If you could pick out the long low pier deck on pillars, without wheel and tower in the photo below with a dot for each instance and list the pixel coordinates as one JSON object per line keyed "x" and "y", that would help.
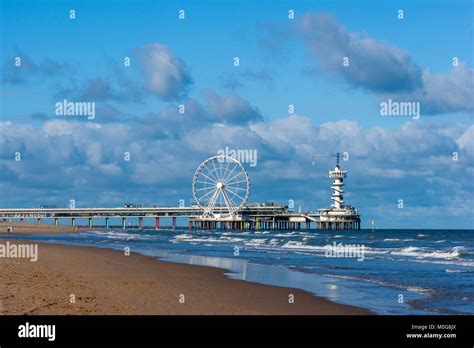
{"x": 256, "y": 217}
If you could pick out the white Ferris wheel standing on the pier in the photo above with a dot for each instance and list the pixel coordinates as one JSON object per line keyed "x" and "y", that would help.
{"x": 221, "y": 186}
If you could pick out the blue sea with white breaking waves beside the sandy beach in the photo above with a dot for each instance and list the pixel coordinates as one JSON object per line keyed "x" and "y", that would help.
{"x": 390, "y": 272}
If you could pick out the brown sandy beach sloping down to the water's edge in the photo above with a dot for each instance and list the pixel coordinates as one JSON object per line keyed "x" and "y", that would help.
{"x": 85, "y": 280}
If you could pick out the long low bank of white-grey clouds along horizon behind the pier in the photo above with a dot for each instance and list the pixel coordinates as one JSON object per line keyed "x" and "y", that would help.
{"x": 85, "y": 161}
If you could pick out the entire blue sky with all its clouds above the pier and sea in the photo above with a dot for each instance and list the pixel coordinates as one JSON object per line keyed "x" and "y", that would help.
{"x": 335, "y": 62}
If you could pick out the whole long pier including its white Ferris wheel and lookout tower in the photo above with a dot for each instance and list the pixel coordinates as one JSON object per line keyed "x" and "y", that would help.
{"x": 221, "y": 188}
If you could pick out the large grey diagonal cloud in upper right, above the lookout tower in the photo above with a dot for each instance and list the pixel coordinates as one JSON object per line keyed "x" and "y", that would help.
{"x": 384, "y": 69}
